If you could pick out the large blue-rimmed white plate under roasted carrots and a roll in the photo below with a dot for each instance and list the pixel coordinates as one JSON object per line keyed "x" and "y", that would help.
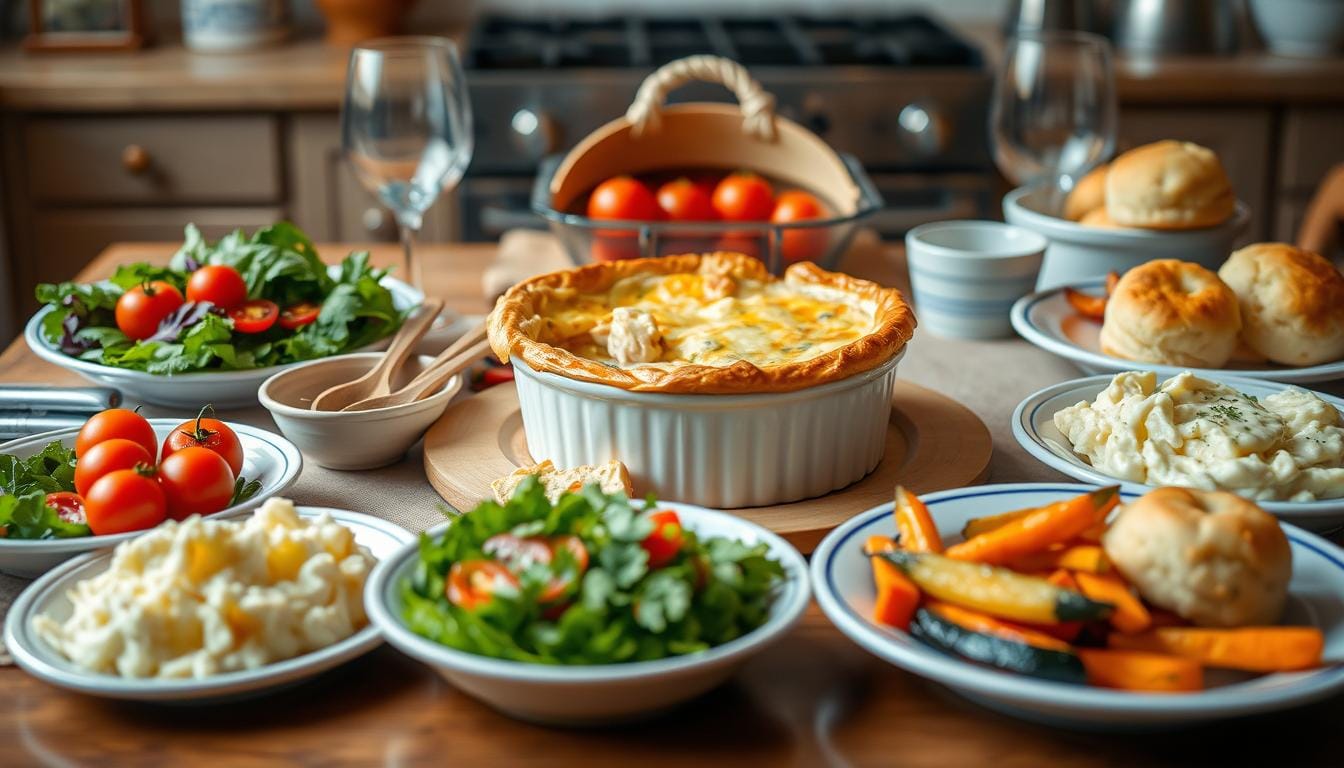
{"x": 842, "y": 580}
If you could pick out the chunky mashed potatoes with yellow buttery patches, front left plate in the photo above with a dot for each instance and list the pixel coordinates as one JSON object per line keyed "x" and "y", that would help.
{"x": 201, "y": 598}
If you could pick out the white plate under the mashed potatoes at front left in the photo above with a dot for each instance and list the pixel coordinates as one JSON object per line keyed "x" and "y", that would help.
{"x": 48, "y": 595}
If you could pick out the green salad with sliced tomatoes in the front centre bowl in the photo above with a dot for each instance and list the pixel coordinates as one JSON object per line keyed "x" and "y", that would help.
{"x": 589, "y": 580}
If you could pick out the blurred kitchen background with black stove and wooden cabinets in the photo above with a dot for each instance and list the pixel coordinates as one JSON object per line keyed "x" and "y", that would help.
{"x": 114, "y": 127}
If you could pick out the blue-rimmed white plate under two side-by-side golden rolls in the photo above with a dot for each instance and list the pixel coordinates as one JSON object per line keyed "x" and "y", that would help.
{"x": 1049, "y": 322}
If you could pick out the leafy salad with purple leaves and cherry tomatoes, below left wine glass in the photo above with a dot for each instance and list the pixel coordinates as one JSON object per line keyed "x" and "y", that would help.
{"x": 236, "y": 305}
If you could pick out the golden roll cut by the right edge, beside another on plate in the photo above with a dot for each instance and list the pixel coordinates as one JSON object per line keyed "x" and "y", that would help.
{"x": 1292, "y": 303}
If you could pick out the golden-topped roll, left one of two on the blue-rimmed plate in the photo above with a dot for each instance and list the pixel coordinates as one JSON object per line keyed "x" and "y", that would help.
{"x": 1171, "y": 313}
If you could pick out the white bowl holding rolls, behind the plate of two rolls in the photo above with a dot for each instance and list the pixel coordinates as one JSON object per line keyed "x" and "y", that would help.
{"x": 1079, "y": 252}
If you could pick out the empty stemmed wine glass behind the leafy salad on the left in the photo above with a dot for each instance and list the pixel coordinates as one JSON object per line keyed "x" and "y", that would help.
{"x": 407, "y": 128}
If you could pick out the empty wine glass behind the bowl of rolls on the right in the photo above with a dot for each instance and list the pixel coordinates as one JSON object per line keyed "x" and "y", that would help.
{"x": 1054, "y": 110}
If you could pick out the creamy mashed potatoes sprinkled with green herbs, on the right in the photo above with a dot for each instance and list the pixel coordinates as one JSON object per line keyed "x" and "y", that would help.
{"x": 1205, "y": 435}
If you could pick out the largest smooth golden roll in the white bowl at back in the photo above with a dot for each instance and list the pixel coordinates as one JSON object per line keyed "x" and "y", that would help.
{"x": 1170, "y": 186}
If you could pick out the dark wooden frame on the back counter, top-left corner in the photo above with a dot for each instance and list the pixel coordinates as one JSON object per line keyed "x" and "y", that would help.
{"x": 65, "y": 26}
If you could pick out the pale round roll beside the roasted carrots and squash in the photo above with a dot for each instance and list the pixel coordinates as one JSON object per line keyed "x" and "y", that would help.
{"x": 1213, "y": 558}
